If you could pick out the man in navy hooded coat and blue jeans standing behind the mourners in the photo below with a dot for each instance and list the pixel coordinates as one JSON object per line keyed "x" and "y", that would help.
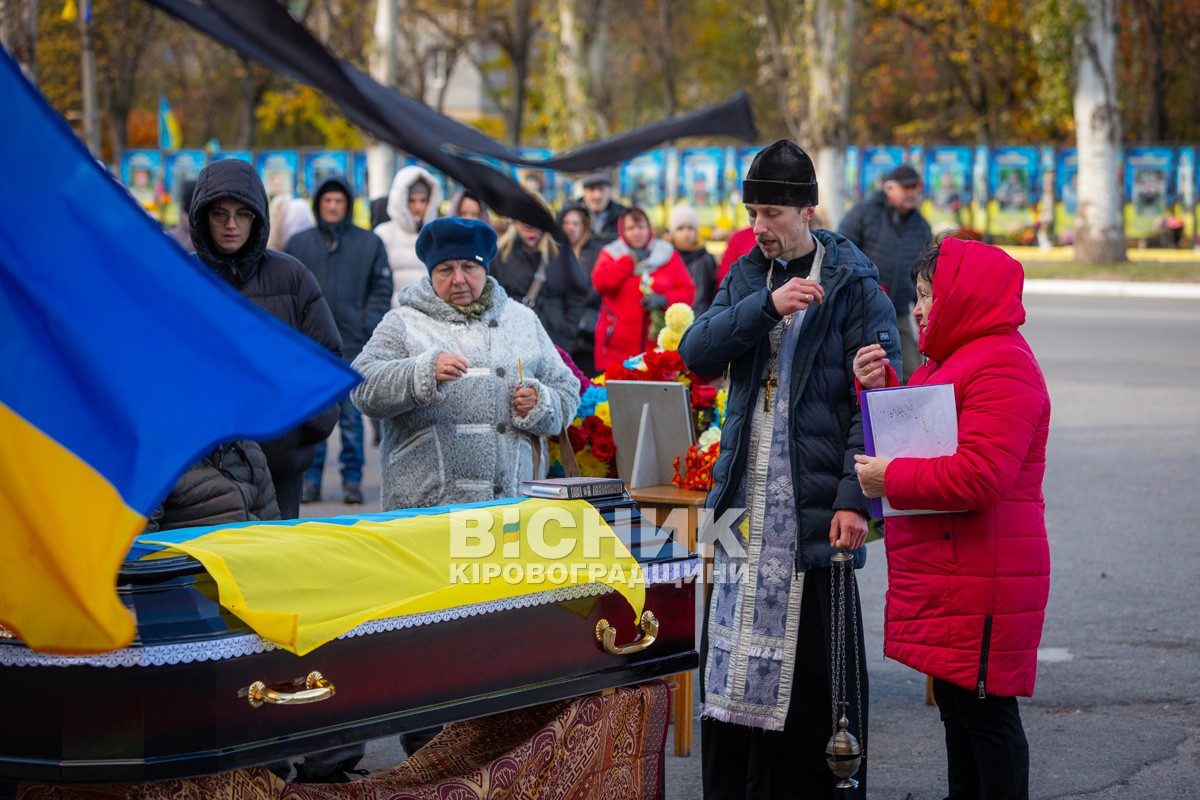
{"x": 351, "y": 266}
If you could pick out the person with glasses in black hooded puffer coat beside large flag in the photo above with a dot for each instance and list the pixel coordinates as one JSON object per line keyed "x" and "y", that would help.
{"x": 230, "y": 230}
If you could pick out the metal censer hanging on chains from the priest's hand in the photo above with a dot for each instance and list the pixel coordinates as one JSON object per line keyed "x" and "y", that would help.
{"x": 844, "y": 753}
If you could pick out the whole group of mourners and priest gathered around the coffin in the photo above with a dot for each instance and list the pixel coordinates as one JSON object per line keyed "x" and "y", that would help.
{"x": 467, "y": 340}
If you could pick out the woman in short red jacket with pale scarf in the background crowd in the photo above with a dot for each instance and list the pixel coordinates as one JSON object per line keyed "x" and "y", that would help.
{"x": 635, "y": 276}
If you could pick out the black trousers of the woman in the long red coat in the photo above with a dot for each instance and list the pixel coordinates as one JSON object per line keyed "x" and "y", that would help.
{"x": 987, "y": 754}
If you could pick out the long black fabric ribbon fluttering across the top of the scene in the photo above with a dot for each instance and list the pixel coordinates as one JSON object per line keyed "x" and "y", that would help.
{"x": 263, "y": 31}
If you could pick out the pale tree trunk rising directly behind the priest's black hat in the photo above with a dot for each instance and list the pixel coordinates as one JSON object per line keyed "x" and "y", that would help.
{"x": 829, "y": 109}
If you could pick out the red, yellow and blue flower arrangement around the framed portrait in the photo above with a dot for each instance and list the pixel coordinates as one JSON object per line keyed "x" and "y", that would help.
{"x": 591, "y": 431}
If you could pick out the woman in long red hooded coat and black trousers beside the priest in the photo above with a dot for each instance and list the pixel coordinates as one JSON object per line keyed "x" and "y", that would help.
{"x": 968, "y": 591}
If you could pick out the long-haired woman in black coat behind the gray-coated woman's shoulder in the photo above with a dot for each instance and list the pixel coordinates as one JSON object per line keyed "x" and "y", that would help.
{"x": 541, "y": 275}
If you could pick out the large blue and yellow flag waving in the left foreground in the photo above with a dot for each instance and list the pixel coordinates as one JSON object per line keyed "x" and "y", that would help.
{"x": 123, "y": 360}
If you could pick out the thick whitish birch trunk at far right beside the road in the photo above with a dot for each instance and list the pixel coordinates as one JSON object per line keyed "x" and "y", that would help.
{"x": 1100, "y": 224}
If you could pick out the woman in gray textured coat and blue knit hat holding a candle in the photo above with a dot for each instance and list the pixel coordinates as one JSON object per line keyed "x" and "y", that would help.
{"x": 464, "y": 378}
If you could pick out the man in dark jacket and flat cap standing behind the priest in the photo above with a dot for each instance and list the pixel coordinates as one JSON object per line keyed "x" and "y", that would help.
{"x": 891, "y": 231}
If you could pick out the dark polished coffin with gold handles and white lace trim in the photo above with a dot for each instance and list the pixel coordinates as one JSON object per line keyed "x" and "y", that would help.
{"x": 194, "y": 694}
